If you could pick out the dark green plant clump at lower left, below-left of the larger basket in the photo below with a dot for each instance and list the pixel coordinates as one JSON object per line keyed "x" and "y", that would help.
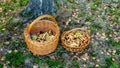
{"x": 15, "y": 58}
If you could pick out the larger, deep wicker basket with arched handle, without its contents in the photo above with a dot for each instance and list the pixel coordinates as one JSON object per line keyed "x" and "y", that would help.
{"x": 38, "y": 48}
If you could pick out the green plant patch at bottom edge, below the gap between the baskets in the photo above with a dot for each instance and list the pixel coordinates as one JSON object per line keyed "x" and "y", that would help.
{"x": 55, "y": 63}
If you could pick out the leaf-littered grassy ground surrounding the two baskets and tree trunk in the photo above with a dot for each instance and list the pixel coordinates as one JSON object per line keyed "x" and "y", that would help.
{"x": 102, "y": 17}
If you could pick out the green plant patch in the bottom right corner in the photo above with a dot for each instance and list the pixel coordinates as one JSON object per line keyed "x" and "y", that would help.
{"x": 110, "y": 63}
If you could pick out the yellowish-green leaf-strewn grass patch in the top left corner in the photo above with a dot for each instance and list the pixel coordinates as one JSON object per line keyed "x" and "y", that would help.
{"x": 9, "y": 9}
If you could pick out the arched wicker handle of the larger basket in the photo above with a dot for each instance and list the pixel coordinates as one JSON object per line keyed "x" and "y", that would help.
{"x": 41, "y": 17}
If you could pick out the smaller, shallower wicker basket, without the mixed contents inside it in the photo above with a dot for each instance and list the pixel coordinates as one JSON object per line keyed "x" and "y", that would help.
{"x": 75, "y": 49}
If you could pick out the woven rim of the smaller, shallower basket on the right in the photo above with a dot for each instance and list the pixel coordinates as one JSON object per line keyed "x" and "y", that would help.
{"x": 73, "y": 30}
